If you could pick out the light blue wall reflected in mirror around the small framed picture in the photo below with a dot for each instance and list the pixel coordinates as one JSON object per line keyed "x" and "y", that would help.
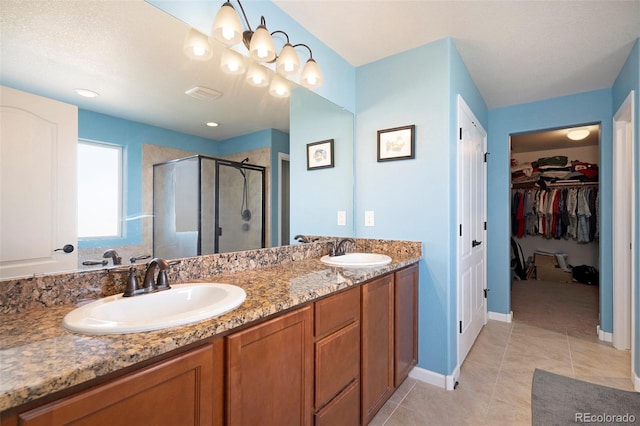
{"x": 317, "y": 195}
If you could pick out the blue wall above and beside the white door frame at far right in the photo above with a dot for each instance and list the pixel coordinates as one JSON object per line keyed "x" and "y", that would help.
{"x": 628, "y": 80}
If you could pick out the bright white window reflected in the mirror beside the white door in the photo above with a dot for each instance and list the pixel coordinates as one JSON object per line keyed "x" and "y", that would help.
{"x": 100, "y": 190}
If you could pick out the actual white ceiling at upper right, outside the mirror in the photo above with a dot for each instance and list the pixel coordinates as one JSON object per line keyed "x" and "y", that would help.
{"x": 517, "y": 51}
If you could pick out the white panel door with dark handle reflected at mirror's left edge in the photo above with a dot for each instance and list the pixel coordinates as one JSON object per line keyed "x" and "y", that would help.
{"x": 38, "y": 148}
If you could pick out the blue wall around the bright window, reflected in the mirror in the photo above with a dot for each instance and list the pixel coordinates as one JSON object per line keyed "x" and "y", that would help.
{"x": 132, "y": 135}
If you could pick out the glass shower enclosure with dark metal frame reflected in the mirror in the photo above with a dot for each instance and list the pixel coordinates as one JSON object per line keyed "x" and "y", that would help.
{"x": 206, "y": 205}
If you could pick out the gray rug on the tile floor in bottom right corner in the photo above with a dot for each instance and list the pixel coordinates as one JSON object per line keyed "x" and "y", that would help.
{"x": 560, "y": 400}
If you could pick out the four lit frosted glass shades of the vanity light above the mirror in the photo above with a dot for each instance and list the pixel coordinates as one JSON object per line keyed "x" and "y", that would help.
{"x": 227, "y": 29}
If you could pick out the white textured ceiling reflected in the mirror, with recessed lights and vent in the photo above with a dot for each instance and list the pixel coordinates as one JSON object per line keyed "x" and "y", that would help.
{"x": 129, "y": 52}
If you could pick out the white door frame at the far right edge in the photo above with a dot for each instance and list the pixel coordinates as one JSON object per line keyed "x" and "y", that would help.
{"x": 624, "y": 175}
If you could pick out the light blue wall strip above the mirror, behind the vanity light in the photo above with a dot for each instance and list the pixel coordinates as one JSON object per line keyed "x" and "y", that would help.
{"x": 339, "y": 75}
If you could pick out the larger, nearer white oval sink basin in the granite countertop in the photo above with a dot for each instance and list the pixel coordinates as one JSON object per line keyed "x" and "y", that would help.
{"x": 182, "y": 304}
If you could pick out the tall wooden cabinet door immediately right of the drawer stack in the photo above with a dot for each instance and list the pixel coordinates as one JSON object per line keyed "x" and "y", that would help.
{"x": 377, "y": 345}
